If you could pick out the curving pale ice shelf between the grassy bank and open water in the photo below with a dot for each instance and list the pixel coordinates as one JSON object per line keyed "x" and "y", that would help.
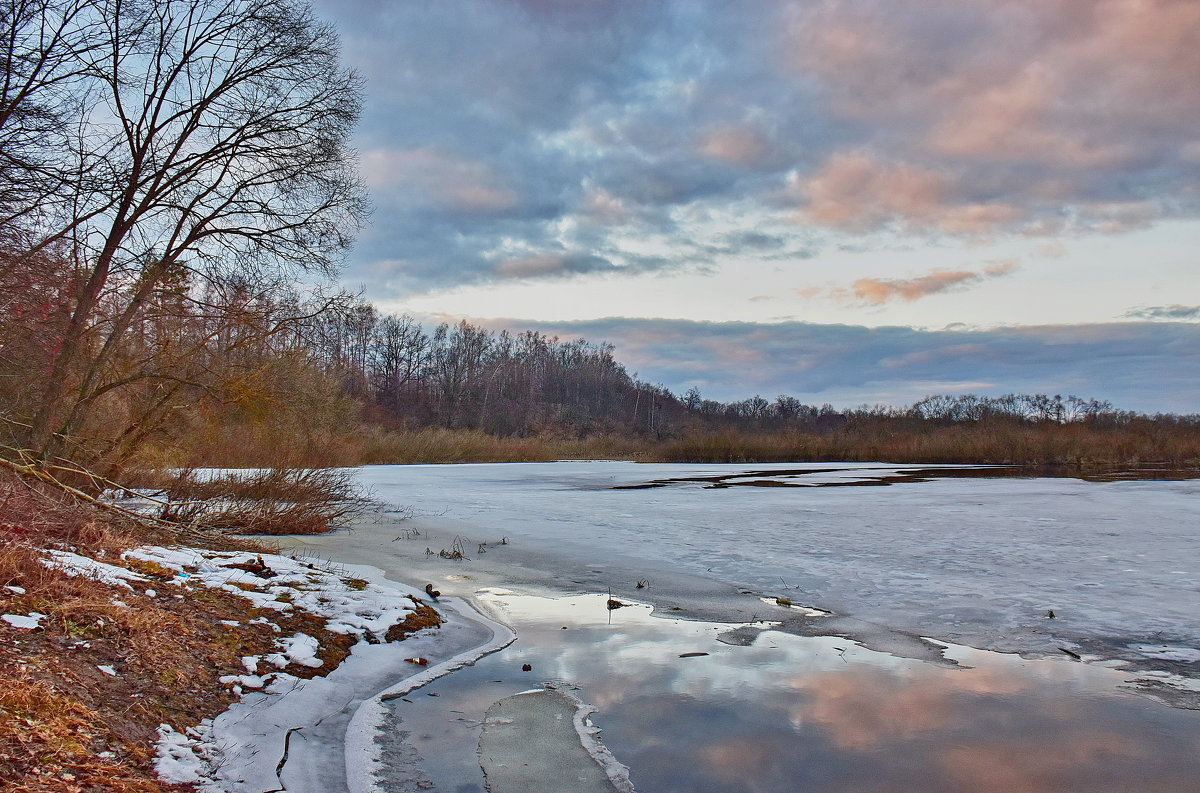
{"x": 314, "y": 736}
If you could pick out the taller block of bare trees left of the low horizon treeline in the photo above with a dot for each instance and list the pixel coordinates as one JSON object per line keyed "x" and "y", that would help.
{"x": 465, "y": 377}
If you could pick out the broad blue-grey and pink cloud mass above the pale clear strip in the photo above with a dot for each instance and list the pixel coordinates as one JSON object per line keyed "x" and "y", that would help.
{"x": 541, "y": 140}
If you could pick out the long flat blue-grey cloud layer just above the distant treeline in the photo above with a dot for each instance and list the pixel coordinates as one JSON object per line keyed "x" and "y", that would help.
{"x": 1141, "y": 367}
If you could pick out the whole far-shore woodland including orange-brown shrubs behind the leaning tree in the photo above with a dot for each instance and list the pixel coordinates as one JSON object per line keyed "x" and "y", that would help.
{"x": 235, "y": 375}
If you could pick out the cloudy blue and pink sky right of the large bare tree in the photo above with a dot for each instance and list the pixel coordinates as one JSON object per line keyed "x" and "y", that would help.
{"x": 850, "y": 202}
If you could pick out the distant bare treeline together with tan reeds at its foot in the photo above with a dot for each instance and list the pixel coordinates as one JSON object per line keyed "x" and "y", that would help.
{"x": 460, "y": 392}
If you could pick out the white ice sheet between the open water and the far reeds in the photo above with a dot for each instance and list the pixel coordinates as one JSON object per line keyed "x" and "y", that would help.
{"x": 979, "y": 562}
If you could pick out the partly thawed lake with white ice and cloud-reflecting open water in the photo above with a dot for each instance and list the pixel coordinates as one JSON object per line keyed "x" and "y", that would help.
{"x": 895, "y": 666}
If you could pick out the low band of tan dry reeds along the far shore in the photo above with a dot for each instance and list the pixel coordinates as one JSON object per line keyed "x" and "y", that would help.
{"x": 899, "y": 440}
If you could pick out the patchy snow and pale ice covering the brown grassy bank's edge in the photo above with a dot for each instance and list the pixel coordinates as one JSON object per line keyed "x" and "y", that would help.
{"x": 296, "y": 734}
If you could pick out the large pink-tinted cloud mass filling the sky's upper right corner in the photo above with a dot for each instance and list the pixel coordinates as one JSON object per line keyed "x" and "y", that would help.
{"x": 1031, "y": 113}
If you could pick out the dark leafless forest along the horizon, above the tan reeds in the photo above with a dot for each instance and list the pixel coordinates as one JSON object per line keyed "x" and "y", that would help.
{"x": 463, "y": 376}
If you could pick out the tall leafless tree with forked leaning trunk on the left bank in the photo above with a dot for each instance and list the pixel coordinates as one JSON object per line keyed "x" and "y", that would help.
{"x": 225, "y": 125}
